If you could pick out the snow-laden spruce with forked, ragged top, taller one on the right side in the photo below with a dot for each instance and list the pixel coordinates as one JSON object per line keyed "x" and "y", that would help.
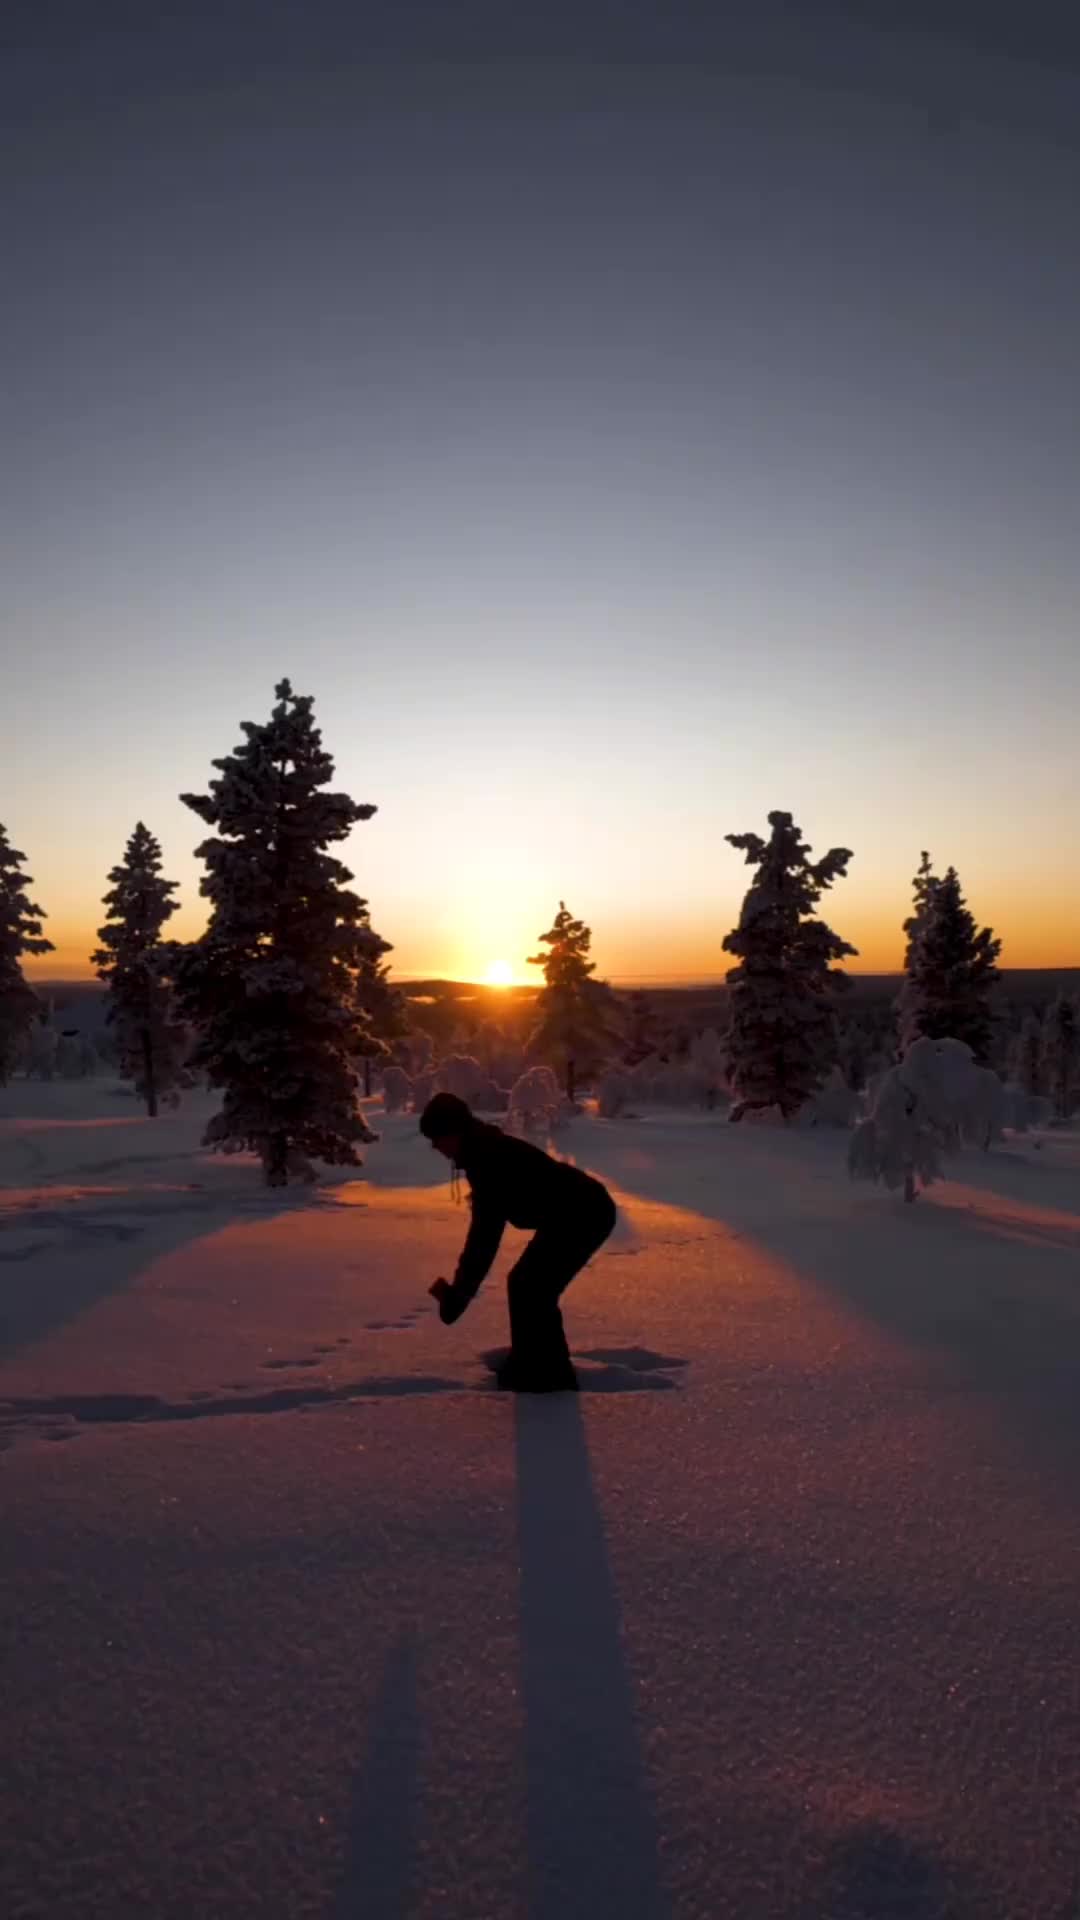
{"x": 783, "y": 1036}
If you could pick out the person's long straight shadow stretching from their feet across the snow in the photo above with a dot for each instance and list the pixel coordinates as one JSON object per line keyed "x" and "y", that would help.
{"x": 593, "y": 1844}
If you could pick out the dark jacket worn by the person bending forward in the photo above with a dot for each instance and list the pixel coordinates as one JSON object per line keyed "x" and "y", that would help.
{"x": 514, "y": 1184}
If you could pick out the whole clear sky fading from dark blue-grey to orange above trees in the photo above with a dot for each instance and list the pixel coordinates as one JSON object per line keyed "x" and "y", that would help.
{"x": 624, "y": 421}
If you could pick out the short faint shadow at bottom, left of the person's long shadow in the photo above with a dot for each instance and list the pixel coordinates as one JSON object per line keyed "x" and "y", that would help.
{"x": 383, "y": 1821}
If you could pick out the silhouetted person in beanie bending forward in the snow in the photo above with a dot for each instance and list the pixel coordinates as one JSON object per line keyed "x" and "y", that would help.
{"x": 514, "y": 1184}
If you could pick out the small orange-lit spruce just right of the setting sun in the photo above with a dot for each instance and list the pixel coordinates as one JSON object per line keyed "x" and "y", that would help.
{"x": 579, "y": 1017}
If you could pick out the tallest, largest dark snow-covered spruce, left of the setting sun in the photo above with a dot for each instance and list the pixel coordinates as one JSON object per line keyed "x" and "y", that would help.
{"x": 272, "y": 982}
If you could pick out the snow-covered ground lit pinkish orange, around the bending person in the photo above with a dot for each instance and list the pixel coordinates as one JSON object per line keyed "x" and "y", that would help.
{"x": 303, "y": 1620}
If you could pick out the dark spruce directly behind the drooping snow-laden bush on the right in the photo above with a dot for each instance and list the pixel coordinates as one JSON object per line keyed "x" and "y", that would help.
{"x": 950, "y": 969}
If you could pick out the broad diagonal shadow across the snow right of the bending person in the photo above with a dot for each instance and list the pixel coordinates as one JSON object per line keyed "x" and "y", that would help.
{"x": 985, "y": 1291}
